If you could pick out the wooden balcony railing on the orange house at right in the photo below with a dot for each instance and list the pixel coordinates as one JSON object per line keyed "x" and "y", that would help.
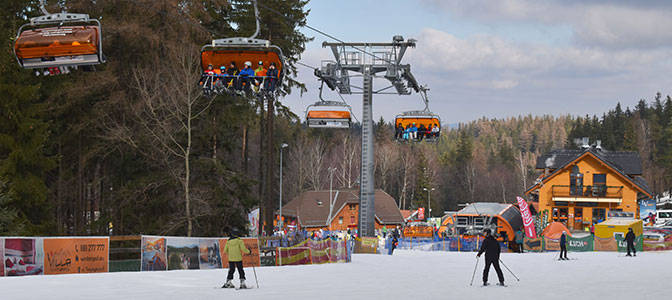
{"x": 594, "y": 193}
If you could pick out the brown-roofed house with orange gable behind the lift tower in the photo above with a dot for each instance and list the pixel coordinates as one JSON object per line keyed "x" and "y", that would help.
{"x": 311, "y": 210}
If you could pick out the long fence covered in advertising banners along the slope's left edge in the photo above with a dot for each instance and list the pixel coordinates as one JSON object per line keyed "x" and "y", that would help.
{"x": 21, "y": 256}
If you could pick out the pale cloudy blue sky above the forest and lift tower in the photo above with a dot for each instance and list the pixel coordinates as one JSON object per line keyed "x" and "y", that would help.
{"x": 498, "y": 59}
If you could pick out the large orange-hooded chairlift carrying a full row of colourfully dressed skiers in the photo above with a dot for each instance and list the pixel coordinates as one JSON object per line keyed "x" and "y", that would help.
{"x": 222, "y": 52}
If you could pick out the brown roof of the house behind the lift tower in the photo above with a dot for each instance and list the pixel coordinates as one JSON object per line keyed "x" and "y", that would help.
{"x": 311, "y": 208}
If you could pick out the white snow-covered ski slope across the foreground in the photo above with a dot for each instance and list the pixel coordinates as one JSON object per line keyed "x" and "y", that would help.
{"x": 406, "y": 275}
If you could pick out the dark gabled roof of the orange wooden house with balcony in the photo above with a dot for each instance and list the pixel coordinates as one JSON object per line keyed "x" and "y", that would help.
{"x": 628, "y": 164}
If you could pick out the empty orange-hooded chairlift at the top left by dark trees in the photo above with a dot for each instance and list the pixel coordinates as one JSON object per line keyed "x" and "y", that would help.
{"x": 39, "y": 45}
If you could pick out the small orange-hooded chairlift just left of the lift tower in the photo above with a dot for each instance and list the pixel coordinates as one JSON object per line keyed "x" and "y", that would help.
{"x": 328, "y": 114}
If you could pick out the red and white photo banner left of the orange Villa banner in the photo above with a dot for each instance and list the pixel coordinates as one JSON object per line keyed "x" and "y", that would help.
{"x": 23, "y": 256}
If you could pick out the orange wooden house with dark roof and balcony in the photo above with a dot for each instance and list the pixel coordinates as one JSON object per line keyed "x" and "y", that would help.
{"x": 577, "y": 187}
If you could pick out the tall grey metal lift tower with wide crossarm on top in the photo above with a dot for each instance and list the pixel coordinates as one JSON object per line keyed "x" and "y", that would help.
{"x": 367, "y": 60}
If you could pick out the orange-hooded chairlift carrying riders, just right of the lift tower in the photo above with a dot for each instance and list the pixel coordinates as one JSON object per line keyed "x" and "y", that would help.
{"x": 417, "y": 118}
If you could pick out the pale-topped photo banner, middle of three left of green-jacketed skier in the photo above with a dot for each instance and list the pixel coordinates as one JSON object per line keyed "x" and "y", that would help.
{"x": 182, "y": 253}
